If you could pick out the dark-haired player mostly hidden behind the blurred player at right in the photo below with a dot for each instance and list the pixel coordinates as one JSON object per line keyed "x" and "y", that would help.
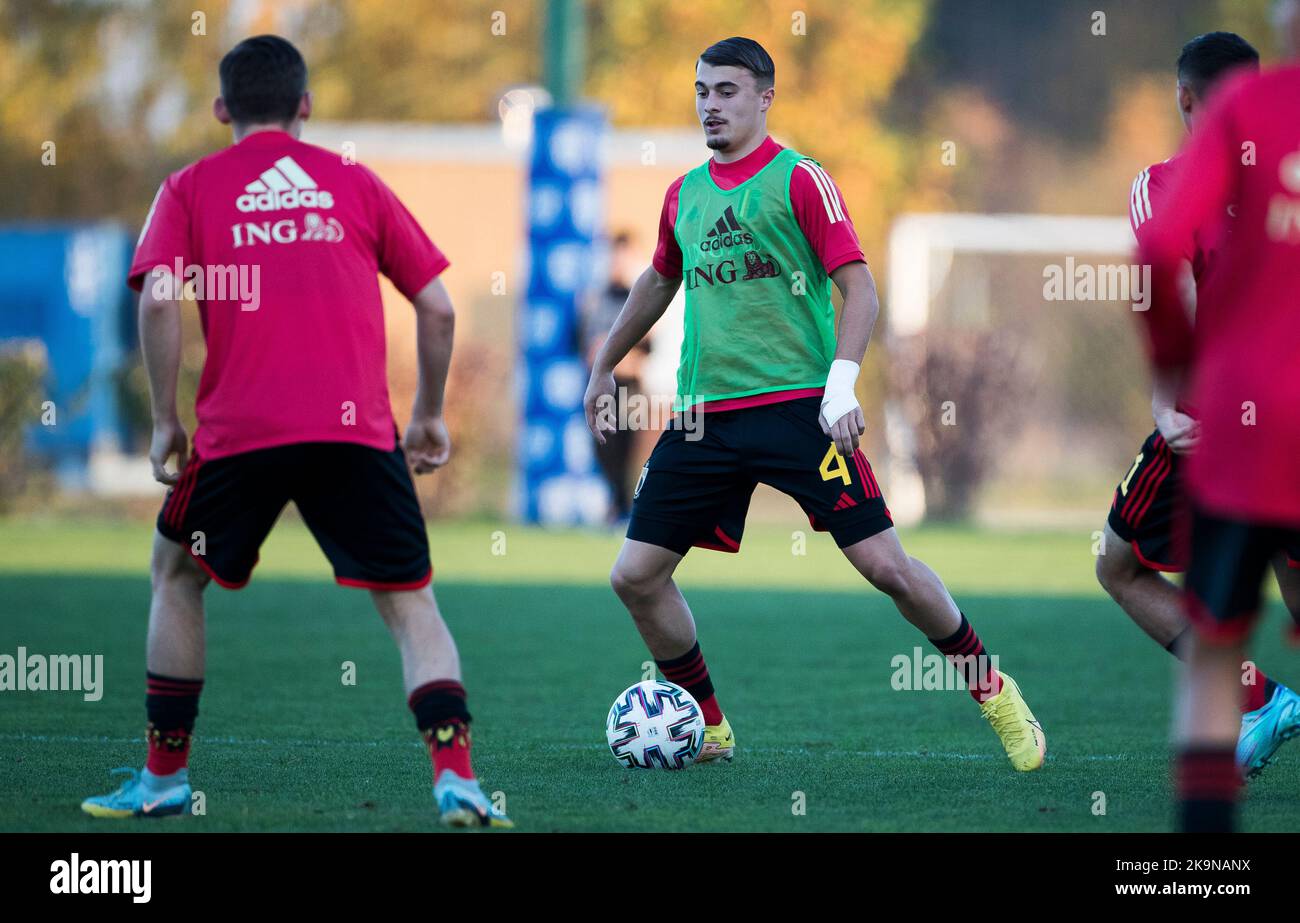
{"x": 1139, "y": 534}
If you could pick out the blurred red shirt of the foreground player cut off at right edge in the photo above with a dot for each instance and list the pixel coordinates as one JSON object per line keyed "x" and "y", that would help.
{"x": 1245, "y": 356}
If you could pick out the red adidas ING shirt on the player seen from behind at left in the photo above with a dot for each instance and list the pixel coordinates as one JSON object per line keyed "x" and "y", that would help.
{"x": 307, "y": 365}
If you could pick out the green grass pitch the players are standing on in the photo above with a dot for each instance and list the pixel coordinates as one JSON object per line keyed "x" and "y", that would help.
{"x": 799, "y": 647}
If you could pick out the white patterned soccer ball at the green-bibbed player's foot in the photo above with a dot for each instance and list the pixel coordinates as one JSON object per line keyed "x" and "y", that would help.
{"x": 656, "y": 725}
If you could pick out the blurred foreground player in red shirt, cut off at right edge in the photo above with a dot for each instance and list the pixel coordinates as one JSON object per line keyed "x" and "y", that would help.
{"x": 1241, "y": 370}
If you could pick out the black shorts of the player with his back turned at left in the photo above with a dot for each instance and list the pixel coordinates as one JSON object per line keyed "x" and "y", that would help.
{"x": 359, "y": 504}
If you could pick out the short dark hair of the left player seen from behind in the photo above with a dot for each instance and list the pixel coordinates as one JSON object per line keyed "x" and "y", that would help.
{"x": 263, "y": 80}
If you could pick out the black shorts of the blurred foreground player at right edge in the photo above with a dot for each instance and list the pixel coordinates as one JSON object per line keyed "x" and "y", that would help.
{"x": 1229, "y": 560}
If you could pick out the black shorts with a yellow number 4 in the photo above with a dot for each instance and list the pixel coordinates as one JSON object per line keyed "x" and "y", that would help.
{"x": 695, "y": 492}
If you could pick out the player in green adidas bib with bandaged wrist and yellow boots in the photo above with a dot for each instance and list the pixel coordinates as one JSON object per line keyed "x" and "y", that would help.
{"x": 766, "y": 395}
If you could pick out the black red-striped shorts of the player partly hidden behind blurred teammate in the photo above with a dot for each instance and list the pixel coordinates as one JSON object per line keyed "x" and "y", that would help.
{"x": 1147, "y": 508}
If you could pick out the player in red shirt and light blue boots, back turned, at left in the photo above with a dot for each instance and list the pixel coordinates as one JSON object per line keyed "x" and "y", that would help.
{"x": 284, "y": 244}
